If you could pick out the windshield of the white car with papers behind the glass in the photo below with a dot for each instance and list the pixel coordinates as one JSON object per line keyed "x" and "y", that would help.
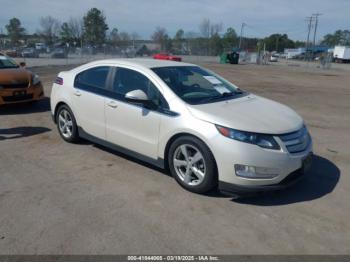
{"x": 195, "y": 85}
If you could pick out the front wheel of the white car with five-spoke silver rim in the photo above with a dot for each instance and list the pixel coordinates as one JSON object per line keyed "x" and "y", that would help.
{"x": 196, "y": 172}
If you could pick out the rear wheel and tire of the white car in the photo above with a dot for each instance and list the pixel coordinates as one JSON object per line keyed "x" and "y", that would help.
{"x": 68, "y": 130}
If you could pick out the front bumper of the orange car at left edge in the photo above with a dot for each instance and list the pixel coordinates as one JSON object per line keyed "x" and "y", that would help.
{"x": 21, "y": 95}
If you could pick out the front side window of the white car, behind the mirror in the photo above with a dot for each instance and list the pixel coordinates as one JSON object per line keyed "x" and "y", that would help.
{"x": 127, "y": 80}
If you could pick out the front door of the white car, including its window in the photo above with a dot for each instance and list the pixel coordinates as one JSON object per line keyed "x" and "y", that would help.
{"x": 130, "y": 125}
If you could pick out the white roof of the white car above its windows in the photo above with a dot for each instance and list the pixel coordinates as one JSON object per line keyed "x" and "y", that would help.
{"x": 145, "y": 62}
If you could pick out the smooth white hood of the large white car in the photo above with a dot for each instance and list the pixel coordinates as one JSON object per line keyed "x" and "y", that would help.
{"x": 250, "y": 113}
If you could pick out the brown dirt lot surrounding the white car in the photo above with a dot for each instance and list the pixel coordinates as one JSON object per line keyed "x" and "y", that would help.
{"x": 58, "y": 198}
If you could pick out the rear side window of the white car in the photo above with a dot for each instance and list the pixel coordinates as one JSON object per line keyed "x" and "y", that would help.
{"x": 92, "y": 79}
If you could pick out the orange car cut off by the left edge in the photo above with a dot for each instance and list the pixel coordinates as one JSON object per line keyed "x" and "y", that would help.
{"x": 18, "y": 84}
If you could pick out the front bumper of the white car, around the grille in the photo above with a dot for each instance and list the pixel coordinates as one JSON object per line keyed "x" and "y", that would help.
{"x": 287, "y": 166}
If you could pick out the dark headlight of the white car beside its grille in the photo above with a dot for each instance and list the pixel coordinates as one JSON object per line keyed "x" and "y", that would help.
{"x": 265, "y": 141}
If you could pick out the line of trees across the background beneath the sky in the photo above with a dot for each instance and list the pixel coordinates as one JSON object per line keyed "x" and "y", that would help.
{"x": 93, "y": 30}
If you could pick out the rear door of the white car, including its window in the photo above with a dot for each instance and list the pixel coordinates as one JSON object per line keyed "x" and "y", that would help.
{"x": 90, "y": 88}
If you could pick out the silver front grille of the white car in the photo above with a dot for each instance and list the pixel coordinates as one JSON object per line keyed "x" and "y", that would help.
{"x": 296, "y": 142}
